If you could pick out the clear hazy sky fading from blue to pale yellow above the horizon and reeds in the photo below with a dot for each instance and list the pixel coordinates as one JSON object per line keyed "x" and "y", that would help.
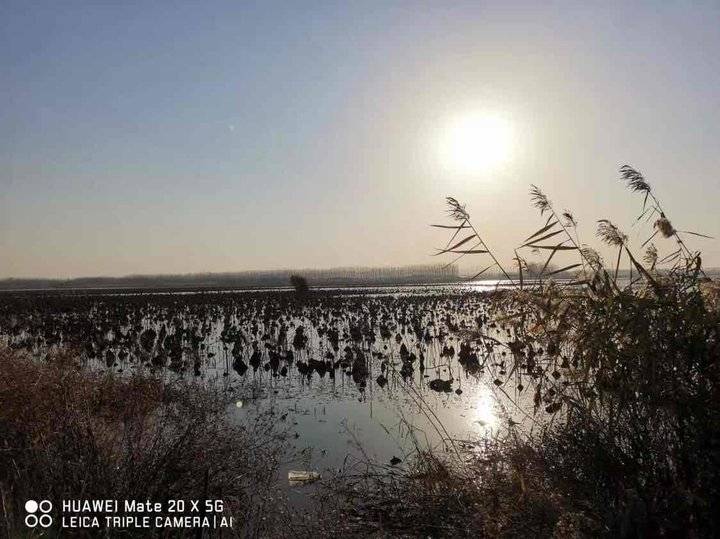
{"x": 180, "y": 137}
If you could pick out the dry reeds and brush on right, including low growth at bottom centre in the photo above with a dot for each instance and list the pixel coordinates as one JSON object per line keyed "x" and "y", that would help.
{"x": 625, "y": 386}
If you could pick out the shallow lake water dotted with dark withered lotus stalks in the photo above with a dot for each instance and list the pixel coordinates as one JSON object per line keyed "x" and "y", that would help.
{"x": 349, "y": 373}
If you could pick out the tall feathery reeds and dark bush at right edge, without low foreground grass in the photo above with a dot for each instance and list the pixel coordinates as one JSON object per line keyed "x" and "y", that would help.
{"x": 631, "y": 369}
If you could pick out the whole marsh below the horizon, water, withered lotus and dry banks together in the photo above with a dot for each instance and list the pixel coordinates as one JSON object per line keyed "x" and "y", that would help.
{"x": 478, "y": 409}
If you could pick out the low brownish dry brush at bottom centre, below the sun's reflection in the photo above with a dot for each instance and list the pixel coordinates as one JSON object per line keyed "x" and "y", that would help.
{"x": 501, "y": 491}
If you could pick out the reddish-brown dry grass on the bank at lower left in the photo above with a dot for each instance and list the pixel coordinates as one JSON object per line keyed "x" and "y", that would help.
{"x": 70, "y": 433}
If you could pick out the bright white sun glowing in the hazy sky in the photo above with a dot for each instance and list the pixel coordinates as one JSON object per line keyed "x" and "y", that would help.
{"x": 475, "y": 143}
